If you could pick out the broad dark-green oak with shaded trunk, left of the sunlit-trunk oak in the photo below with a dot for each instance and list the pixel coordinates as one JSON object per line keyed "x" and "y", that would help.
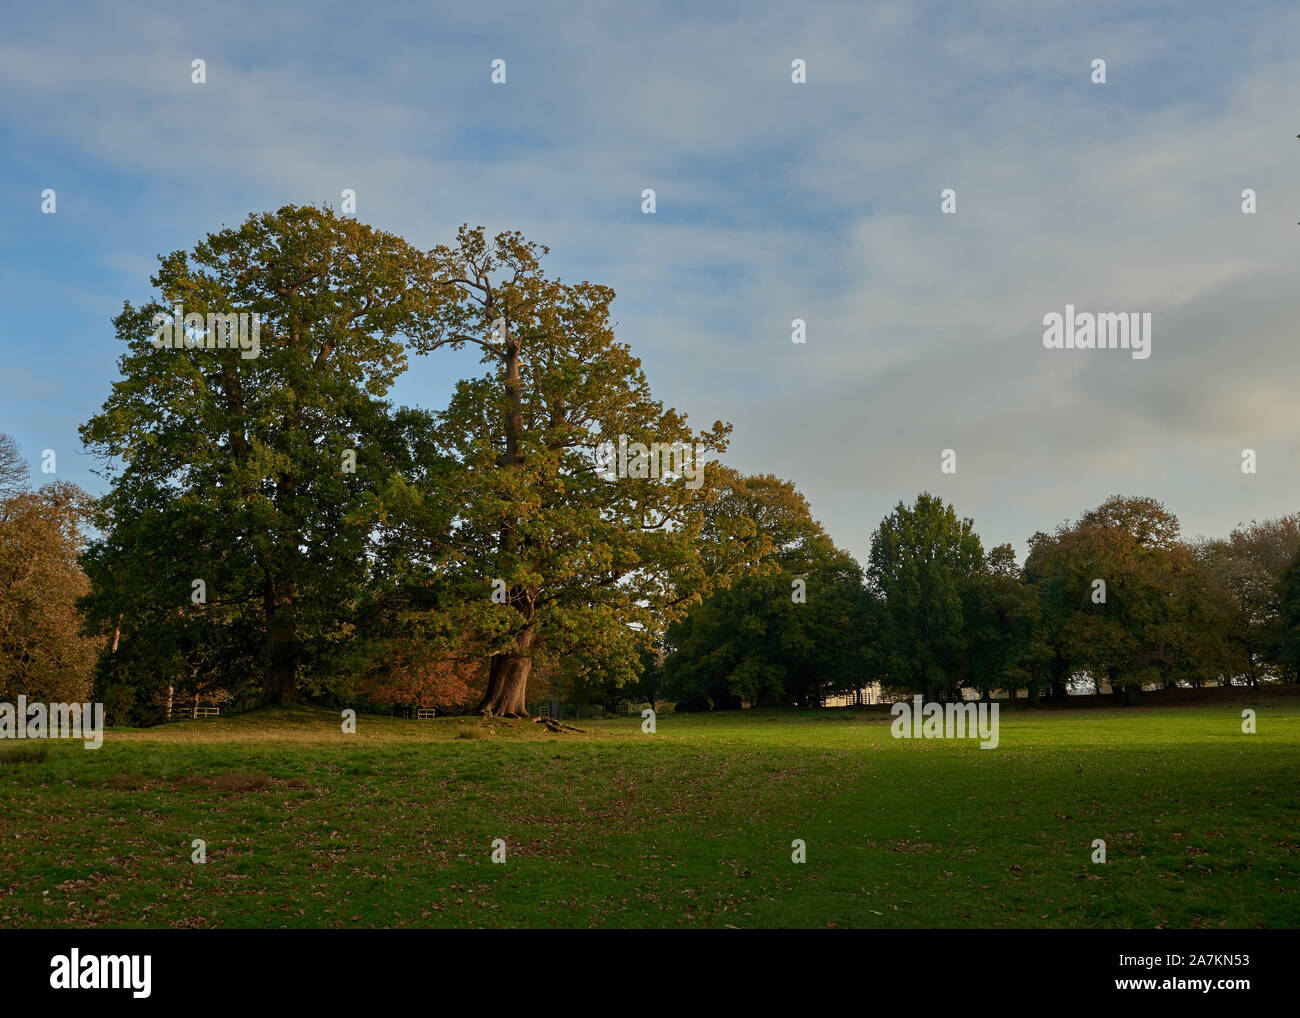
{"x": 239, "y": 471}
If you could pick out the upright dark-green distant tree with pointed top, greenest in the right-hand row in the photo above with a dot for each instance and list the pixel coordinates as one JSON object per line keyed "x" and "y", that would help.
{"x": 924, "y": 558}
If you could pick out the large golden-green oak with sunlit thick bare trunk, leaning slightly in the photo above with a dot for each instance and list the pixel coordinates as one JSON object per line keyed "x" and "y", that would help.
{"x": 588, "y": 566}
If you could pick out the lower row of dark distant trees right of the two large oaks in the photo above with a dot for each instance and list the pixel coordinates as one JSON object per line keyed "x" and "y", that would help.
{"x": 1115, "y": 601}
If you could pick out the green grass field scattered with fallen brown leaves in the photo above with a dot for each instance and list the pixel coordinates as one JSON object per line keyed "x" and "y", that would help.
{"x": 690, "y": 828}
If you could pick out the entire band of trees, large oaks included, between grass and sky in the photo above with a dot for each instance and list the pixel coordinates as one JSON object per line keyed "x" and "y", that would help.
{"x": 276, "y": 530}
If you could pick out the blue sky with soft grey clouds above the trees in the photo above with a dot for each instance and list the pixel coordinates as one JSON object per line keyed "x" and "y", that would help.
{"x": 775, "y": 202}
